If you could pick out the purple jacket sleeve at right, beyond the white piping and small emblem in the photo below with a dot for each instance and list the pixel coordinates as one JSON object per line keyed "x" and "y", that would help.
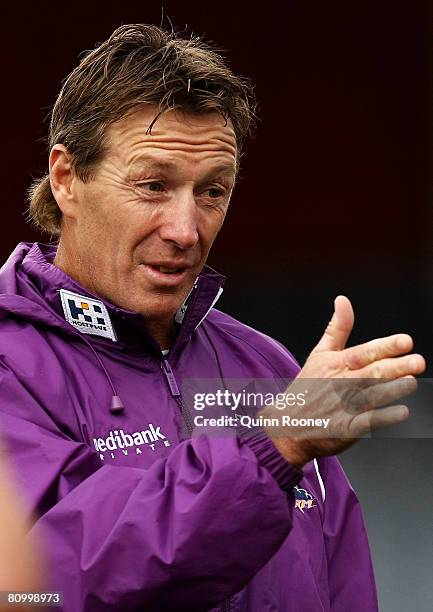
{"x": 350, "y": 569}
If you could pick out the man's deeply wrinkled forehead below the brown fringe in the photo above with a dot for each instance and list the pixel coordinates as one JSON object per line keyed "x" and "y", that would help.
{"x": 175, "y": 136}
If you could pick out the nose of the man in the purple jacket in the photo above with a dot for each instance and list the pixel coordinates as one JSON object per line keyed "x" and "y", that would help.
{"x": 179, "y": 224}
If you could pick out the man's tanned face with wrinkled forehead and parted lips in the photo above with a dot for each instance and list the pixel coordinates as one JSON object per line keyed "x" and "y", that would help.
{"x": 145, "y": 223}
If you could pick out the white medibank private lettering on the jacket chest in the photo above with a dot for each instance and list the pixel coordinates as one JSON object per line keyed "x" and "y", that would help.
{"x": 118, "y": 442}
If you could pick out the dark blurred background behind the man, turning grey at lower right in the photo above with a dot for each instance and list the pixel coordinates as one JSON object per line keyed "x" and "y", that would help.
{"x": 335, "y": 196}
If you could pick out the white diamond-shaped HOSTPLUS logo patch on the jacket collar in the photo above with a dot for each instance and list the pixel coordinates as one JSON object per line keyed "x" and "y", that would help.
{"x": 87, "y": 315}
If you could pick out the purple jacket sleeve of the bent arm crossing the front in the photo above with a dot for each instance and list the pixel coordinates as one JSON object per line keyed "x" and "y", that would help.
{"x": 184, "y": 534}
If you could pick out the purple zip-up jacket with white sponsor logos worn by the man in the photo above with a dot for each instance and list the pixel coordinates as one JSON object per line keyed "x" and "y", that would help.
{"x": 133, "y": 516}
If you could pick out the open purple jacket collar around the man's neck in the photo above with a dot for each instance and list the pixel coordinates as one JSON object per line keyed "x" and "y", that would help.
{"x": 37, "y": 268}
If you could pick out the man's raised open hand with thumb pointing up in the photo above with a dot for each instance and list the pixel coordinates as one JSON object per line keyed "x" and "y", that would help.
{"x": 368, "y": 376}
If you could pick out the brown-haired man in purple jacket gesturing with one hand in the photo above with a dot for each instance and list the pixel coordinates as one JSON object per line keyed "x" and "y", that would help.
{"x": 100, "y": 330}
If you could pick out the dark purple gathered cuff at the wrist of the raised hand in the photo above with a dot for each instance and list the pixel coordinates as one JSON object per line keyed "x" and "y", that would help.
{"x": 268, "y": 456}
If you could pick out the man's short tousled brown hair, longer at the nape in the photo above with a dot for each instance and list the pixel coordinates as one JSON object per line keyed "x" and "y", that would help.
{"x": 137, "y": 64}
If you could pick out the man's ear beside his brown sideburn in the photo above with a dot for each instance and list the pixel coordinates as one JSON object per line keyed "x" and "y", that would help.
{"x": 62, "y": 179}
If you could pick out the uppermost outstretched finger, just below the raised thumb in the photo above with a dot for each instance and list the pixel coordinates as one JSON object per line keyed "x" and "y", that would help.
{"x": 357, "y": 357}
